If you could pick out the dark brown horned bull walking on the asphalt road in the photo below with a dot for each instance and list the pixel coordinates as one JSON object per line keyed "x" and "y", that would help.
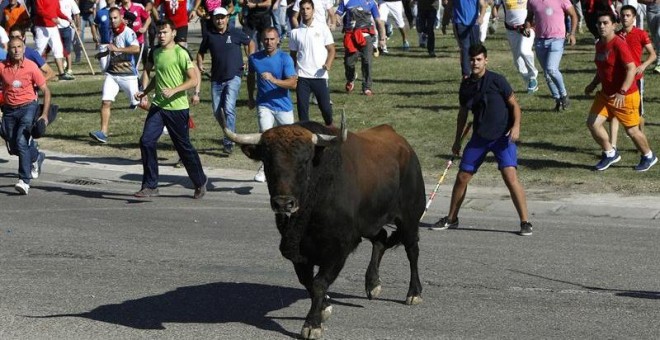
{"x": 329, "y": 188}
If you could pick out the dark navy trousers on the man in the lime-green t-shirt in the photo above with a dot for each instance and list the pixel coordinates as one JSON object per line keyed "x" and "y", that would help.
{"x": 176, "y": 122}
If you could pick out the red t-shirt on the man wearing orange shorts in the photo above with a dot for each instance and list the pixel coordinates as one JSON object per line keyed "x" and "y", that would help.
{"x": 611, "y": 60}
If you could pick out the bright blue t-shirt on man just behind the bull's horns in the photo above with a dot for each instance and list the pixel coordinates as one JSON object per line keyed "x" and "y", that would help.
{"x": 280, "y": 65}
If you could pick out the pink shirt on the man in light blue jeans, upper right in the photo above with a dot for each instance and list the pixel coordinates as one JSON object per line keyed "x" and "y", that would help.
{"x": 549, "y": 17}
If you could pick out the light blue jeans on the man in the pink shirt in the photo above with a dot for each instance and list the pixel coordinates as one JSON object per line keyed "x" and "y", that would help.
{"x": 549, "y": 53}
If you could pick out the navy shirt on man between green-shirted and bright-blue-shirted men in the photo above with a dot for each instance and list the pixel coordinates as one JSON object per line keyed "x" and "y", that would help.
{"x": 226, "y": 53}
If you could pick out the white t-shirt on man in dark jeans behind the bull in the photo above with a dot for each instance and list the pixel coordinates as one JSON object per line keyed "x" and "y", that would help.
{"x": 310, "y": 43}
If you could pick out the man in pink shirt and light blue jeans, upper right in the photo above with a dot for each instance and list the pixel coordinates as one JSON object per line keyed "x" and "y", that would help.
{"x": 548, "y": 21}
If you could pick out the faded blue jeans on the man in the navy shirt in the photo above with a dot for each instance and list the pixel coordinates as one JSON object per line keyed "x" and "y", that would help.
{"x": 224, "y": 95}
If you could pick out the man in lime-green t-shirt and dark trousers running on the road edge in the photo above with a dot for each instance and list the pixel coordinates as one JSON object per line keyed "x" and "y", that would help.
{"x": 175, "y": 74}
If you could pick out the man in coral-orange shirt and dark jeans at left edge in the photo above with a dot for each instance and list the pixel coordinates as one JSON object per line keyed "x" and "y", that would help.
{"x": 19, "y": 77}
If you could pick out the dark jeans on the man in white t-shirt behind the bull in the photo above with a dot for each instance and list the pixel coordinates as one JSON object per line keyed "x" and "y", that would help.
{"x": 318, "y": 86}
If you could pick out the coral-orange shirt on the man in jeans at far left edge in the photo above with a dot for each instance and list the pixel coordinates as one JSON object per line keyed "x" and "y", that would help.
{"x": 18, "y": 83}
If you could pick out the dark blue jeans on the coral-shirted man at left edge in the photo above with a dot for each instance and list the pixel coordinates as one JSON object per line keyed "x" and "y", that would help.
{"x": 17, "y": 123}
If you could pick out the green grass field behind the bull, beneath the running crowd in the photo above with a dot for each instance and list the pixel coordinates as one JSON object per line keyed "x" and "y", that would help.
{"x": 415, "y": 94}
